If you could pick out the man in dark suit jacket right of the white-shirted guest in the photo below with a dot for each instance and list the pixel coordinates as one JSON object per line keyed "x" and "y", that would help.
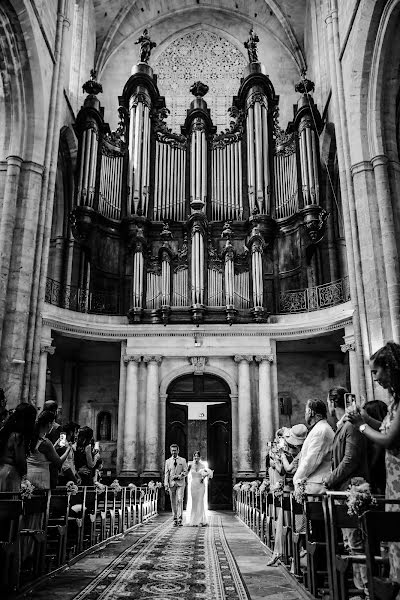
{"x": 349, "y": 459}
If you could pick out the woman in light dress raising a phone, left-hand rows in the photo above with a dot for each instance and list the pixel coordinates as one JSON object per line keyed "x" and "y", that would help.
{"x": 43, "y": 453}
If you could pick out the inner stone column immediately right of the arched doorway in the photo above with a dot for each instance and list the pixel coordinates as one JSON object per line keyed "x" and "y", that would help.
{"x": 244, "y": 415}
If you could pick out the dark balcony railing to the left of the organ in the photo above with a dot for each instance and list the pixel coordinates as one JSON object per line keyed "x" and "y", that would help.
{"x": 82, "y": 300}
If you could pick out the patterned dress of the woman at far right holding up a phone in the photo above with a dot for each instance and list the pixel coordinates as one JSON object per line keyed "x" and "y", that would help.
{"x": 392, "y": 460}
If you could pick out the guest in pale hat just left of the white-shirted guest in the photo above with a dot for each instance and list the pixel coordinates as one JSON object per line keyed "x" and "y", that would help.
{"x": 289, "y": 458}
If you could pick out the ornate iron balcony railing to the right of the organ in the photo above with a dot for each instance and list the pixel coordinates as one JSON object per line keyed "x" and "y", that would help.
{"x": 315, "y": 298}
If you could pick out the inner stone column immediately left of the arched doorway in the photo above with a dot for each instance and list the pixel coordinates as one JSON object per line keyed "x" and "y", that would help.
{"x": 152, "y": 418}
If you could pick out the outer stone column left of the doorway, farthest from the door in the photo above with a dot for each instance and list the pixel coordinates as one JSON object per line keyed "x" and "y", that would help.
{"x": 129, "y": 462}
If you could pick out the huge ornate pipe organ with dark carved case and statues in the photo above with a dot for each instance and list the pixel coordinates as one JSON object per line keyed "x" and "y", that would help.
{"x": 198, "y": 216}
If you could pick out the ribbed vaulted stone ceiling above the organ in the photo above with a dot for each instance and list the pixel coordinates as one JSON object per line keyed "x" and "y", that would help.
{"x": 118, "y": 19}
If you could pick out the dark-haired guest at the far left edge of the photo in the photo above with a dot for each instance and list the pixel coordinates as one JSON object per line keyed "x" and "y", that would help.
{"x": 15, "y": 438}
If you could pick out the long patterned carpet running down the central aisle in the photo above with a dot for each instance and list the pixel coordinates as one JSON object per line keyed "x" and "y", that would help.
{"x": 172, "y": 563}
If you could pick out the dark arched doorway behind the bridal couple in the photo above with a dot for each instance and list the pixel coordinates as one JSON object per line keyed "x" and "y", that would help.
{"x": 198, "y": 417}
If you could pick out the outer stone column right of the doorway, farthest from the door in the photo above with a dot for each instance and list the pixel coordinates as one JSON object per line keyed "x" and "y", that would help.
{"x": 265, "y": 407}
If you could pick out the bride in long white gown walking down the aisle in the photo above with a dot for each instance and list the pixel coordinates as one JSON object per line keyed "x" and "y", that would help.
{"x": 198, "y": 475}
